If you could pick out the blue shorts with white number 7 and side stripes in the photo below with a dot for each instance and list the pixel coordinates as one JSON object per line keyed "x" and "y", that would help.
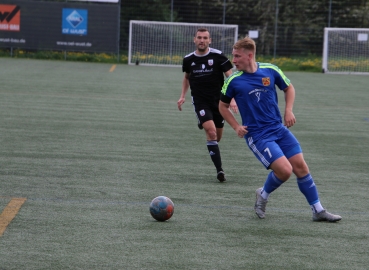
{"x": 277, "y": 144}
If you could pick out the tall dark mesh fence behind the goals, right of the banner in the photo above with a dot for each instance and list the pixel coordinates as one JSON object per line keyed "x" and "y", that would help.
{"x": 283, "y": 27}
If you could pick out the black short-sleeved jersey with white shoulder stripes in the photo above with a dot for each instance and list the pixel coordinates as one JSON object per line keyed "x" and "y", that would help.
{"x": 206, "y": 73}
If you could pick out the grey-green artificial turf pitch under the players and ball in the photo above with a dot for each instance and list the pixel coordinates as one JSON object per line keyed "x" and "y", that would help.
{"x": 90, "y": 147}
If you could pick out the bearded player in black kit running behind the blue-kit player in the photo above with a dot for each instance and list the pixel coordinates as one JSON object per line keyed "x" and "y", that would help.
{"x": 204, "y": 71}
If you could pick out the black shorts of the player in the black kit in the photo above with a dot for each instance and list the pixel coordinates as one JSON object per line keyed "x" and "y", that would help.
{"x": 206, "y": 111}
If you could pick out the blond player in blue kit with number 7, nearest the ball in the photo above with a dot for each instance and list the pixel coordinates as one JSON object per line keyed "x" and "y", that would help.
{"x": 253, "y": 88}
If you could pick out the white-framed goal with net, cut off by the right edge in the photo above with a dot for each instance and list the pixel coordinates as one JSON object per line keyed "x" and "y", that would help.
{"x": 346, "y": 50}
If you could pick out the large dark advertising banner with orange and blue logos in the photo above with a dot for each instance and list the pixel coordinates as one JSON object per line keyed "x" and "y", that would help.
{"x": 71, "y": 26}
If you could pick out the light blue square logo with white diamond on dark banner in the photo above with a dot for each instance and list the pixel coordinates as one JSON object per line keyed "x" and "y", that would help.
{"x": 74, "y": 21}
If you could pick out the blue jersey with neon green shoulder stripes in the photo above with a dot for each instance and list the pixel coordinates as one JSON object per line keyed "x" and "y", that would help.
{"x": 256, "y": 98}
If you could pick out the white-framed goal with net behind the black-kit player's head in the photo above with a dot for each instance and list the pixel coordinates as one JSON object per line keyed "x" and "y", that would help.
{"x": 166, "y": 43}
